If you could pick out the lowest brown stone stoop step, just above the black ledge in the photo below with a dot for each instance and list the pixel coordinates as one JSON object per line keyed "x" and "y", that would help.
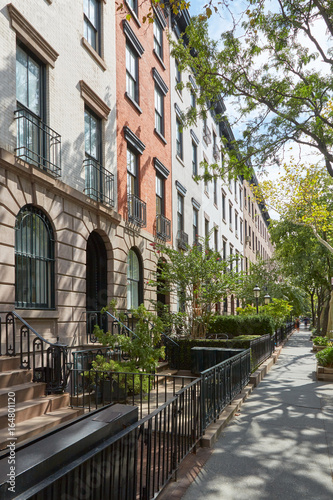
{"x": 29, "y": 428}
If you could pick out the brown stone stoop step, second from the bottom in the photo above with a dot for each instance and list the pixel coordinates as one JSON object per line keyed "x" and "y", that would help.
{"x": 34, "y": 408}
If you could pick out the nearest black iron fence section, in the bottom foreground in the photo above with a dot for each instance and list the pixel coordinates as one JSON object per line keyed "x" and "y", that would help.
{"x": 136, "y": 463}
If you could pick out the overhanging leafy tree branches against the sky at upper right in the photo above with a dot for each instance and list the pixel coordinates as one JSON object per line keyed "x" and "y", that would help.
{"x": 277, "y": 70}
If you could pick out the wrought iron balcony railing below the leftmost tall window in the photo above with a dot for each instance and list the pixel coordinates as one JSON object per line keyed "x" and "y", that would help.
{"x": 37, "y": 143}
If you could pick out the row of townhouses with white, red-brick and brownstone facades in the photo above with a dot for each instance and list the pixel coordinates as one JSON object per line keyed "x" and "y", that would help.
{"x": 95, "y": 165}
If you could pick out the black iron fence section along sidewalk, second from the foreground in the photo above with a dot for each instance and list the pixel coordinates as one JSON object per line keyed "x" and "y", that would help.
{"x": 221, "y": 383}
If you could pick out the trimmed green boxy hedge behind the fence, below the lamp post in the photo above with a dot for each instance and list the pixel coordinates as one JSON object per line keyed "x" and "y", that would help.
{"x": 234, "y": 326}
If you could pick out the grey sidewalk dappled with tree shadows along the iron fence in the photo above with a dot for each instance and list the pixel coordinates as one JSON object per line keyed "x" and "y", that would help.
{"x": 281, "y": 444}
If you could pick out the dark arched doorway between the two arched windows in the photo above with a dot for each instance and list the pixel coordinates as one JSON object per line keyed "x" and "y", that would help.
{"x": 96, "y": 279}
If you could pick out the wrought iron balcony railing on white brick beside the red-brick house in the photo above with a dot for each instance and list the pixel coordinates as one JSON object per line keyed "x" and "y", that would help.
{"x": 99, "y": 182}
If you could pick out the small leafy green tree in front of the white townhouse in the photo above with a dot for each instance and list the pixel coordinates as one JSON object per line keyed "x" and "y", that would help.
{"x": 197, "y": 278}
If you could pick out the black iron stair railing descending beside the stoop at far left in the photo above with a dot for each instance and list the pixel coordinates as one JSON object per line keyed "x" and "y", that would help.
{"x": 48, "y": 360}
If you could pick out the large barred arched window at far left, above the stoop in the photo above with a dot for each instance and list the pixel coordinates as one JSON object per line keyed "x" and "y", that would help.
{"x": 34, "y": 260}
